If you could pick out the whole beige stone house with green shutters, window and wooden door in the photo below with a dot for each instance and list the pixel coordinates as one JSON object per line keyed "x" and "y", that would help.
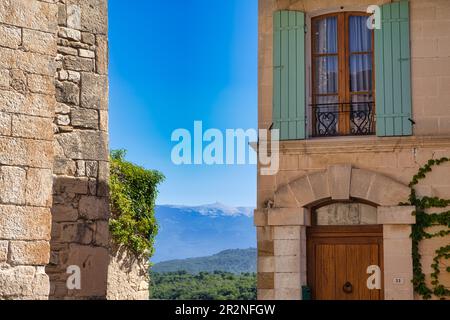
{"x": 359, "y": 110}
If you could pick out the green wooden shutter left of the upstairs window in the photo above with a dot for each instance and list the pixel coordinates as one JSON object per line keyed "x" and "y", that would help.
{"x": 289, "y": 74}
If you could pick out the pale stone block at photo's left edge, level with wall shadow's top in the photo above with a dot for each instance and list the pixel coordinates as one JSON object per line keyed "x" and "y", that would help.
{"x": 12, "y": 184}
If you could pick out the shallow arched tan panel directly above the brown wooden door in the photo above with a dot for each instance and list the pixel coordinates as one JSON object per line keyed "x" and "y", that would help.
{"x": 338, "y": 214}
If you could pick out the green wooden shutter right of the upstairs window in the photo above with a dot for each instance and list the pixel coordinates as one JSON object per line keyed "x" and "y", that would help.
{"x": 393, "y": 71}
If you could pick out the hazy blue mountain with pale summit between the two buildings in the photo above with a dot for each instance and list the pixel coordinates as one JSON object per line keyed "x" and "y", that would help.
{"x": 199, "y": 231}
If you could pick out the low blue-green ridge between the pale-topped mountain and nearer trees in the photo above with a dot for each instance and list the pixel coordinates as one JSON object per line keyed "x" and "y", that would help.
{"x": 234, "y": 261}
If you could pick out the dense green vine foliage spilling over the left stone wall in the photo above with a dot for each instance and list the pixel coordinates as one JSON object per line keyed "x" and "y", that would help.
{"x": 133, "y": 191}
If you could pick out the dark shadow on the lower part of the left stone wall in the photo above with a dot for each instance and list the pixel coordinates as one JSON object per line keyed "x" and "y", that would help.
{"x": 80, "y": 237}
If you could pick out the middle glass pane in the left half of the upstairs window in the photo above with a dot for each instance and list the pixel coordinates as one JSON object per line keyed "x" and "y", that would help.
{"x": 326, "y": 75}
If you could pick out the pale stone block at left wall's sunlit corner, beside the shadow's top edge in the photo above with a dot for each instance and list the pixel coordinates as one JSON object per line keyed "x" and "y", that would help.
{"x": 39, "y": 187}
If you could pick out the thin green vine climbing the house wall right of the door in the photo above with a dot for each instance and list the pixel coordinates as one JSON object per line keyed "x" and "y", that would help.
{"x": 424, "y": 221}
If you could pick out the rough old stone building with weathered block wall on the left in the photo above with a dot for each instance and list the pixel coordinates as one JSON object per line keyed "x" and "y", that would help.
{"x": 54, "y": 197}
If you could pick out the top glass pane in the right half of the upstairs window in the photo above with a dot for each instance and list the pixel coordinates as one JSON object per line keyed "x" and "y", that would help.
{"x": 360, "y": 36}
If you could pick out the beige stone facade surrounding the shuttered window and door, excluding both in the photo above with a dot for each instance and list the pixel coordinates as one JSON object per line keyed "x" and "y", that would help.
{"x": 373, "y": 169}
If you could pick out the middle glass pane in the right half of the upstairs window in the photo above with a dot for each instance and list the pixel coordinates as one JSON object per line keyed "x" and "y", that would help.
{"x": 361, "y": 72}
